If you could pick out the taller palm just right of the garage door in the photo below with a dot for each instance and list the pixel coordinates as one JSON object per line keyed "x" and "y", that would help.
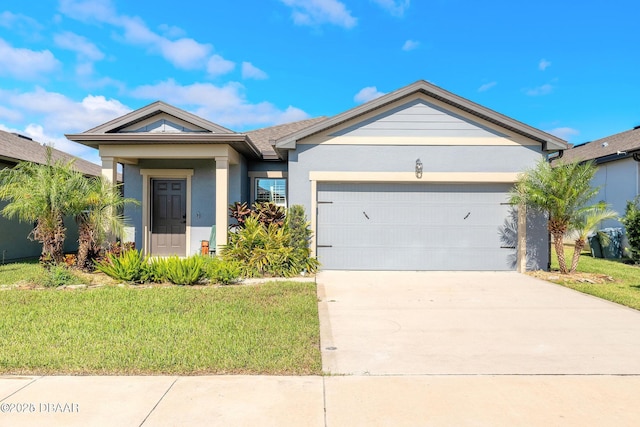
{"x": 562, "y": 191}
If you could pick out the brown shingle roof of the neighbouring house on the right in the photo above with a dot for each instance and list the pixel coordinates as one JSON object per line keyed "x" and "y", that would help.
{"x": 625, "y": 142}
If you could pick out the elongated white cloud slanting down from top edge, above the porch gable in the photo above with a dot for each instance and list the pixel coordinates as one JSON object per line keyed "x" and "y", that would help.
{"x": 185, "y": 53}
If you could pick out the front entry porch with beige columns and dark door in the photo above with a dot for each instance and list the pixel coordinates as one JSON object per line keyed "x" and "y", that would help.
{"x": 184, "y": 190}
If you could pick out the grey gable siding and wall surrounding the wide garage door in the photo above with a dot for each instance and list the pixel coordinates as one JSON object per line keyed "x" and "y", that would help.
{"x": 392, "y": 138}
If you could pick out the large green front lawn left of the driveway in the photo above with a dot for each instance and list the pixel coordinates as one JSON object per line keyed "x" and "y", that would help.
{"x": 265, "y": 329}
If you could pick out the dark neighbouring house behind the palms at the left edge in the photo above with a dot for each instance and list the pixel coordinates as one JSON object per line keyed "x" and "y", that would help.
{"x": 14, "y": 242}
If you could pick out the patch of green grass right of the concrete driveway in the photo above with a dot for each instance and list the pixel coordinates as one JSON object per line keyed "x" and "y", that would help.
{"x": 624, "y": 290}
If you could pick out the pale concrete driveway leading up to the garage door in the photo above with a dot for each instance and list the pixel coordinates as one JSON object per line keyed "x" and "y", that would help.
{"x": 398, "y": 323}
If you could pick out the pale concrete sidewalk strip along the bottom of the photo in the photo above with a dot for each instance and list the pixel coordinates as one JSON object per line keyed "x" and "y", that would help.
{"x": 426, "y": 400}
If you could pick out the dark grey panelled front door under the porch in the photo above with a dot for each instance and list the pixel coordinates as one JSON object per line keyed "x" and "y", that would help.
{"x": 169, "y": 217}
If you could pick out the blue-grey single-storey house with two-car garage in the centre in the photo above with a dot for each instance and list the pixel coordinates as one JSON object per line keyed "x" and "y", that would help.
{"x": 417, "y": 179}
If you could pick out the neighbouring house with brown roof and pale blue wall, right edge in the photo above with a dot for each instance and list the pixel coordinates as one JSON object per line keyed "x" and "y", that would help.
{"x": 618, "y": 160}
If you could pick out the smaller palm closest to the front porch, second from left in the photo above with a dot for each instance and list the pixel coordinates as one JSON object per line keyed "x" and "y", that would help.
{"x": 98, "y": 216}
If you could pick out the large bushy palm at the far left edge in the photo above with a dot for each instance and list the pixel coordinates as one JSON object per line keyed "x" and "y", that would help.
{"x": 42, "y": 194}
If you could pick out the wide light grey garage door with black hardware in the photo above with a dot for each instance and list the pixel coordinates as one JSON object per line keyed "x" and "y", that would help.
{"x": 378, "y": 226}
